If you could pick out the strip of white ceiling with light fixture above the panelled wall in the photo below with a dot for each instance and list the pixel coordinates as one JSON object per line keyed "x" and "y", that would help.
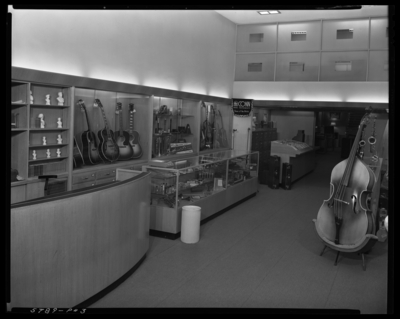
{"x": 252, "y": 16}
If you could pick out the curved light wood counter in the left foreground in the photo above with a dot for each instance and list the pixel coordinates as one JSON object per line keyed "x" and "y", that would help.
{"x": 68, "y": 247}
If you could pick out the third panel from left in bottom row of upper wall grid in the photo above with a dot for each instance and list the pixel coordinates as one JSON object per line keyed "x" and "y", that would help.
{"x": 344, "y": 66}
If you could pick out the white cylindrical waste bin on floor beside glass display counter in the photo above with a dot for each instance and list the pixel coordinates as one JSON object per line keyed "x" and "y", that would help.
{"x": 190, "y": 227}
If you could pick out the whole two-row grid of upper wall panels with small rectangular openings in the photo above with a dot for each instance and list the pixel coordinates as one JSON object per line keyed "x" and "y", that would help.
{"x": 344, "y": 36}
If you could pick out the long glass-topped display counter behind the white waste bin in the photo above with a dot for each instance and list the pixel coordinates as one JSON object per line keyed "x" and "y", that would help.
{"x": 212, "y": 181}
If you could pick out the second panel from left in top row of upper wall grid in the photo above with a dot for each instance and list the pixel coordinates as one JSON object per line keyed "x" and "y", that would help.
{"x": 304, "y": 36}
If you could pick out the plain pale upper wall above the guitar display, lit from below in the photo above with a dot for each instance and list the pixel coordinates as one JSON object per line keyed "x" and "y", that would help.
{"x": 190, "y": 51}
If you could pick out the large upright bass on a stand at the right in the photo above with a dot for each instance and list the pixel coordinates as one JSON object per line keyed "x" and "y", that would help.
{"x": 346, "y": 218}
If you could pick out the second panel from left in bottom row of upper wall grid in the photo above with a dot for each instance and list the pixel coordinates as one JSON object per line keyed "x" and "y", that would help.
{"x": 297, "y": 66}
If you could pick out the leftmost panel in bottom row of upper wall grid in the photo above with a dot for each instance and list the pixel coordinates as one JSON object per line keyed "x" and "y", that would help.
{"x": 255, "y": 67}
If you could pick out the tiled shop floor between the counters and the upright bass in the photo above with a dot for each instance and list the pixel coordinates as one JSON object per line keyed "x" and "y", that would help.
{"x": 263, "y": 253}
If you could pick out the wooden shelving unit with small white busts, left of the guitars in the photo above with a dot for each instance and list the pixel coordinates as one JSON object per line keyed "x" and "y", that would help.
{"x": 27, "y": 136}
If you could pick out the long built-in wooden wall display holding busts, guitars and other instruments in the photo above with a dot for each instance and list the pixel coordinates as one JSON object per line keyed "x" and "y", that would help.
{"x": 83, "y": 129}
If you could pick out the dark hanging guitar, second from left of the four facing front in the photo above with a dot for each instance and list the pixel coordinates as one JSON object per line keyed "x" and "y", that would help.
{"x": 108, "y": 148}
